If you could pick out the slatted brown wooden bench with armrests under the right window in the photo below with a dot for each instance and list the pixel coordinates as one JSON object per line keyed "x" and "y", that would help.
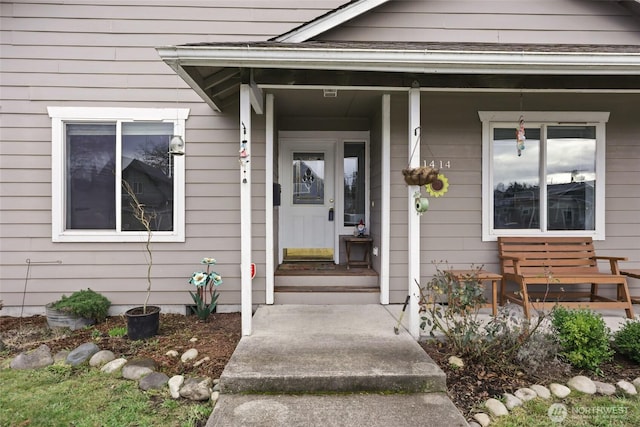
{"x": 541, "y": 264}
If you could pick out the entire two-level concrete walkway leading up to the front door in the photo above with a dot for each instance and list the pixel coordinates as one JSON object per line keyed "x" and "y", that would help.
{"x": 331, "y": 365}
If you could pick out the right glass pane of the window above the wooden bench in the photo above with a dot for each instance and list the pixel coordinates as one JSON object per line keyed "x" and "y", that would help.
{"x": 571, "y": 177}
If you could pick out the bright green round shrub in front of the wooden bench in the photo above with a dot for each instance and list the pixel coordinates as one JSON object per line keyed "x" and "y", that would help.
{"x": 583, "y": 338}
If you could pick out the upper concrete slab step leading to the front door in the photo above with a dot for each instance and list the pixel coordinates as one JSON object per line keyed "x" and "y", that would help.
{"x": 329, "y": 348}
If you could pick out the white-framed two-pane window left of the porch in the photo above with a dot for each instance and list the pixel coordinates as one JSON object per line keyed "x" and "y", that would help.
{"x": 101, "y": 159}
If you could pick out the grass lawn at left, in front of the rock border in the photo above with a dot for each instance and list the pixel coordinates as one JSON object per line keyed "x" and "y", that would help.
{"x": 60, "y": 395}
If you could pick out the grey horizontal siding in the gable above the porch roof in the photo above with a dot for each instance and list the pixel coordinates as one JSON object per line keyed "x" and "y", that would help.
{"x": 507, "y": 21}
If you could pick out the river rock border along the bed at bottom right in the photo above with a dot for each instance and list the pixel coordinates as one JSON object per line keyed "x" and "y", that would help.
{"x": 497, "y": 408}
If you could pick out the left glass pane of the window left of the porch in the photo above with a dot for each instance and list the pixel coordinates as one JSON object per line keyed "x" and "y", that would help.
{"x": 90, "y": 176}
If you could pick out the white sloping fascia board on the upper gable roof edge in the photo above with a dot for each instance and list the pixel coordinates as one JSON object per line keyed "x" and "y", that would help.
{"x": 329, "y": 21}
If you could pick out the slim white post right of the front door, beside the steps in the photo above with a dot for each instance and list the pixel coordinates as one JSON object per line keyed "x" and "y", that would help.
{"x": 385, "y": 208}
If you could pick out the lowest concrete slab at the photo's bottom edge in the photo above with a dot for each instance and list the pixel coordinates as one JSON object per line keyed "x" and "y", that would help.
{"x": 371, "y": 410}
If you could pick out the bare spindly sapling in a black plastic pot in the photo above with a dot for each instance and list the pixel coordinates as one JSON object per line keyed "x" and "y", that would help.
{"x": 143, "y": 321}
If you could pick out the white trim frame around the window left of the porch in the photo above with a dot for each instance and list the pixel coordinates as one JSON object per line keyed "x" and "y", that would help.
{"x": 60, "y": 115}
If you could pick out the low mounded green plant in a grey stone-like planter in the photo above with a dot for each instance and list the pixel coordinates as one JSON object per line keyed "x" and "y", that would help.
{"x": 82, "y": 308}
